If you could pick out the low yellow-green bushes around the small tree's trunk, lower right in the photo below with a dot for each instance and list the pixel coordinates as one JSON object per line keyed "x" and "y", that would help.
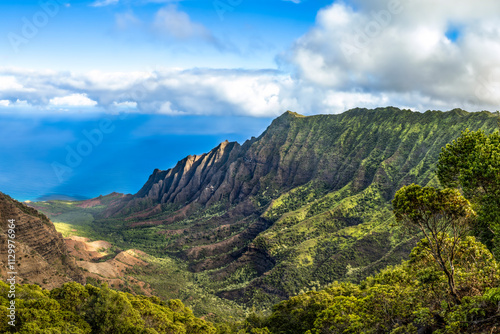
{"x": 408, "y": 298}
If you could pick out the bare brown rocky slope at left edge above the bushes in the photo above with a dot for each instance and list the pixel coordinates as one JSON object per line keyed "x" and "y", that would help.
{"x": 40, "y": 252}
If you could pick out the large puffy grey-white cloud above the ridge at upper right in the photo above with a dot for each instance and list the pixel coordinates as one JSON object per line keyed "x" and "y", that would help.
{"x": 401, "y": 49}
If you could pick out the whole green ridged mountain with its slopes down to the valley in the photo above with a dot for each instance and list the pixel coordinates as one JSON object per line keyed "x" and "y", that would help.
{"x": 303, "y": 205}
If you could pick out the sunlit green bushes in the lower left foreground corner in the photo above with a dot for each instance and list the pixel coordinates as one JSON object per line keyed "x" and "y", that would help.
{"x": 78, "y": 309}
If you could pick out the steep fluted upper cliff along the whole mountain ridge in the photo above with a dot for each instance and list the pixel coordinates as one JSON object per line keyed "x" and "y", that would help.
{"x": 360, "y": 145}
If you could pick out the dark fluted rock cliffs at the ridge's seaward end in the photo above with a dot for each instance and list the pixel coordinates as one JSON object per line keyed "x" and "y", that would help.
{"x": 229, "y": 172}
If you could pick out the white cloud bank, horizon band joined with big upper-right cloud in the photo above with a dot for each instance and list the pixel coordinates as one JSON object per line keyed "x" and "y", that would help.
{"x": 407, "y": 53}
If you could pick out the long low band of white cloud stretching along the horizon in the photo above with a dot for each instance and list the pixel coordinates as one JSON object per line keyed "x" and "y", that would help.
{"x": 212, "y": 92}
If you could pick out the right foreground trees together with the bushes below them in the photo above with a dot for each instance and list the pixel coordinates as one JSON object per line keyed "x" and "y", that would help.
{"x": 451, "y": 283}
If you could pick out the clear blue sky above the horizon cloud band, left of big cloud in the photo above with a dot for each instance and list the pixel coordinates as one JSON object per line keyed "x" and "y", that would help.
{"x": 122, "y": 36}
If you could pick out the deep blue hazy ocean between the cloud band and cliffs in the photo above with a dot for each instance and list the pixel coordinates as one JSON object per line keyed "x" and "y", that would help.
{"x": 32, "y": 147}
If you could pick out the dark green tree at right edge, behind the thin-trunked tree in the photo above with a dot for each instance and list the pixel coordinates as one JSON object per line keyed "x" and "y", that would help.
{"x": 472, "y": 163}
